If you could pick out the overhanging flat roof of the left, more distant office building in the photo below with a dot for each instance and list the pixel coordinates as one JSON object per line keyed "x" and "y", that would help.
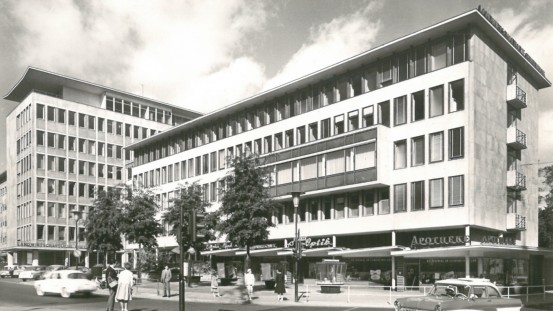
{"x": 51, "y": 82}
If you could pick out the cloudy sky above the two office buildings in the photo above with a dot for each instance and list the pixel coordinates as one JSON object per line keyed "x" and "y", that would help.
{"x": 204, "y": 55}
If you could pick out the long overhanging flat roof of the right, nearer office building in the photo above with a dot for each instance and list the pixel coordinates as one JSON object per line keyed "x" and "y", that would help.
{"x": 477, "y": 17}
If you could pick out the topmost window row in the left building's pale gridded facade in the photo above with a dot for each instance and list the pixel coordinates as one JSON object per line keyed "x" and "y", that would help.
{"x": 60, "y": 115}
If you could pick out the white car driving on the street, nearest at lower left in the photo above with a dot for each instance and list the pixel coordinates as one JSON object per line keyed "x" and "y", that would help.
{"x": 66, "y": 283}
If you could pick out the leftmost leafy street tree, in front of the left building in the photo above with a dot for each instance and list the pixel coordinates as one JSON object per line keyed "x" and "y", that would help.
{"x": 103, "y": 228}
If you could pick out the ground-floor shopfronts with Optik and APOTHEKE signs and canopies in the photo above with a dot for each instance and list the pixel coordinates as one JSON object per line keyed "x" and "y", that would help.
{"x": 415, "y": 257}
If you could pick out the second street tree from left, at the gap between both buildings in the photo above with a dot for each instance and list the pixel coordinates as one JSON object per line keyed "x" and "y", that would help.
{"x": 139, "y": 222}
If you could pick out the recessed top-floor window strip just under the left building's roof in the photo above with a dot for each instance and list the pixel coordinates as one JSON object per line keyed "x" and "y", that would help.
{"x": 142, "y": 111}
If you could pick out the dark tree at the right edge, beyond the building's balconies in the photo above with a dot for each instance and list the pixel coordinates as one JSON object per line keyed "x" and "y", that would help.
{"x": 545, "y": 215}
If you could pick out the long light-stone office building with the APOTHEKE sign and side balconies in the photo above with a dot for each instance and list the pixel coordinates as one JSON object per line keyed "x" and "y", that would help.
{"x": 411, "y": 157}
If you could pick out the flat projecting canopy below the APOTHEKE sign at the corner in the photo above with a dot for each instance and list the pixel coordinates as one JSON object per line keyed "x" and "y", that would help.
{"x": 474, "y": 251}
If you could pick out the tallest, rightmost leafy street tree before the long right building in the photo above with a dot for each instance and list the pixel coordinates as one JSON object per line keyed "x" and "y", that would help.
{"x": 246, "y": 206}
